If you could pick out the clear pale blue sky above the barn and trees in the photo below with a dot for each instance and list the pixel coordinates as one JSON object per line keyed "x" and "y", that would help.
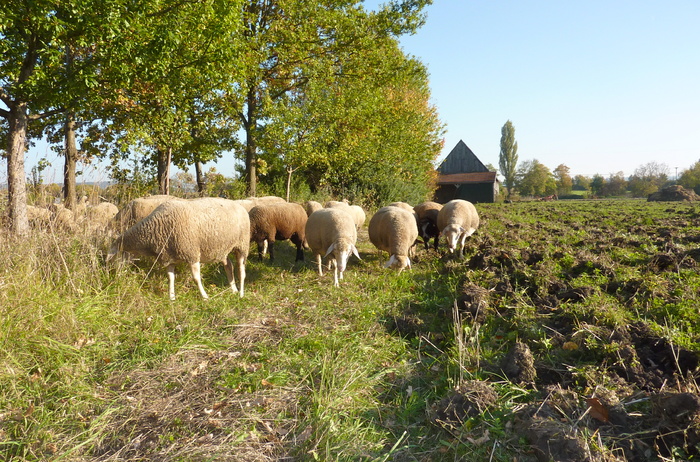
{"x": 601, "y": 86}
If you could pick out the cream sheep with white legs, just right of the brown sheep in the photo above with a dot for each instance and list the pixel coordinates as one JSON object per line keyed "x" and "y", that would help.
{"x": 332, "y": 232}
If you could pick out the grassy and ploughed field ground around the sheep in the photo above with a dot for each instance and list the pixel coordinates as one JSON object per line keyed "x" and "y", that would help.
{"x": 568, "y": 332}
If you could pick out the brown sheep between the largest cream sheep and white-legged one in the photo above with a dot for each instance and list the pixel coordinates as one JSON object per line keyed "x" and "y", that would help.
{"x": 278, "y": 221}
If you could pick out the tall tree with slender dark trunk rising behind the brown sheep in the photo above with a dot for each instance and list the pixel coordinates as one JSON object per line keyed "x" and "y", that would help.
{"x": 284, "y": 40}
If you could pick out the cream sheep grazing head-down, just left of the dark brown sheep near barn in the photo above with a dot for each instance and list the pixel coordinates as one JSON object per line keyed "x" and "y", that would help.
{"x": 393, "y": 229}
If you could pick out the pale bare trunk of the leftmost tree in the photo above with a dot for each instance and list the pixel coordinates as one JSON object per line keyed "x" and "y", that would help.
{"x": 16, "y": 180}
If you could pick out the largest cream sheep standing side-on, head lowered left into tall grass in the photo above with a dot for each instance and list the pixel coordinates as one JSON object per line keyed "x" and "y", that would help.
{"x": 194, "y": 232}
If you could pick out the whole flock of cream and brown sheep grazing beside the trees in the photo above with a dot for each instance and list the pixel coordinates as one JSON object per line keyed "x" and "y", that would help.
{"x": 203, "y": 230}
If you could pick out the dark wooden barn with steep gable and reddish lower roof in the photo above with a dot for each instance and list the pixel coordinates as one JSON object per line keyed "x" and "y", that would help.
{"x": 463, "y": 176}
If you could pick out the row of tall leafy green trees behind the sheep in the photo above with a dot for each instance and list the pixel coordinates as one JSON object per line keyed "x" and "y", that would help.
{"x": 316, "y": 94}
